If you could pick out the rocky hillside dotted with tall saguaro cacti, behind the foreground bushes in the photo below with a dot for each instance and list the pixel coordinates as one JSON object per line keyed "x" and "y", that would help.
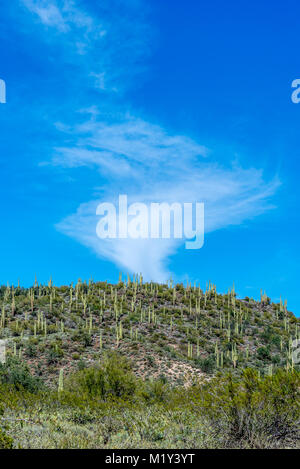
{"x": 173, "y": 332}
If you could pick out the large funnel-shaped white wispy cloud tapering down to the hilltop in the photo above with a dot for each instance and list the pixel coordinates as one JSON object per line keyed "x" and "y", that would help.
{"x": 150, "y": 165}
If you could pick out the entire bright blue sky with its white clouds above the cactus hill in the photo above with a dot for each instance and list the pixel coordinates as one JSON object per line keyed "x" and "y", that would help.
{"x": 161, "y": 100}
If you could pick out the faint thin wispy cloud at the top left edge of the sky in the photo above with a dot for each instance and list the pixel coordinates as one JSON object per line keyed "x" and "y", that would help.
{"x": 106, "y": 47}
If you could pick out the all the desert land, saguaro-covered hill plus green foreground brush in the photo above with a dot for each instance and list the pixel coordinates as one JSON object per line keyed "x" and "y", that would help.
{"x": 145, "y": 365}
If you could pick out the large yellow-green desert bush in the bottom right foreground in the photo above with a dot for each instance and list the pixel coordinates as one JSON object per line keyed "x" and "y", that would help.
{"x": 254, "y": 412}
